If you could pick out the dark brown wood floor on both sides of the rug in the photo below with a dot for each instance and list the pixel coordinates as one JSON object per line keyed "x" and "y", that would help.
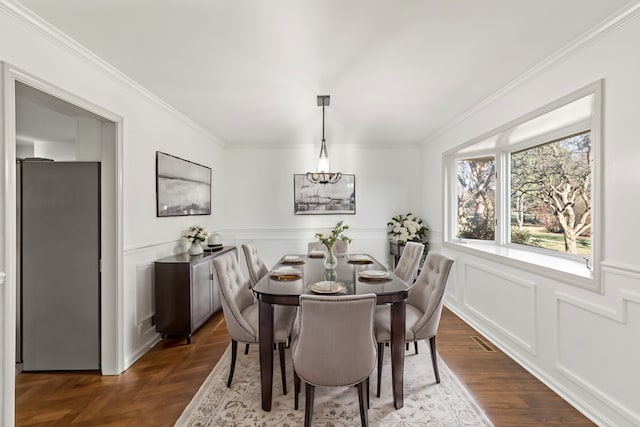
{"x": 156, "y": 389}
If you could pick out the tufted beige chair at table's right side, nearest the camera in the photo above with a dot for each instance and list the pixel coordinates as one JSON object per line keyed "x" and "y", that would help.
{"x": 424, "y": 308}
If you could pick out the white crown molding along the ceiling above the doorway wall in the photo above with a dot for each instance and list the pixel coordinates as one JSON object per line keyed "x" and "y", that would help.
{"x": 27, "y": 17}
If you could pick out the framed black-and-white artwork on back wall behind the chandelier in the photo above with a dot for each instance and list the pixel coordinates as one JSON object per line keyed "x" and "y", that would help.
{"x": 324, "y": 199}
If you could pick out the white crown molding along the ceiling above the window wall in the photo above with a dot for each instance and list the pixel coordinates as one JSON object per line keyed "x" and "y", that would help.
{"x": 609, "y": 24}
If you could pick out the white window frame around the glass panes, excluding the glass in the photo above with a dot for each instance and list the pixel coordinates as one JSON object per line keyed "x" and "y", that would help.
{"x": 568, "y": 268}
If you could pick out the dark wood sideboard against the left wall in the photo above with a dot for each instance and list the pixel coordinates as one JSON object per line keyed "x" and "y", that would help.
{"x": 187, "y": 293}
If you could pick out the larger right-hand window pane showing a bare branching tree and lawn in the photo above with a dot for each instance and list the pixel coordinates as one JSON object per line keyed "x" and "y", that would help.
{"x": 551, "y": 195}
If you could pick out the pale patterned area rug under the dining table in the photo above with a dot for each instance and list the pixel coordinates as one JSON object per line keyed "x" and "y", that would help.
{"x": 425, "y": 402}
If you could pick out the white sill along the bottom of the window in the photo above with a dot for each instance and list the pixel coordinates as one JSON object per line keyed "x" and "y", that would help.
{"x": 561, "y": 269}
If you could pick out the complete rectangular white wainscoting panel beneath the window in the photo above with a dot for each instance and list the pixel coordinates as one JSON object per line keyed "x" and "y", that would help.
{"x": 505, "y": 302}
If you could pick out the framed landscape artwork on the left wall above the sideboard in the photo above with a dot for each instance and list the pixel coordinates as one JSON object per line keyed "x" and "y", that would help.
{"x": 182, "y": 187}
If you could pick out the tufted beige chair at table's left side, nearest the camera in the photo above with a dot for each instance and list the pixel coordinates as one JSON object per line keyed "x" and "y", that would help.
{"x": 241, "y": 312}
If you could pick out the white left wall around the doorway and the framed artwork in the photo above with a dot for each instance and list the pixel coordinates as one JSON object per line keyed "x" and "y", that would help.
{"x": 147, "y": 126}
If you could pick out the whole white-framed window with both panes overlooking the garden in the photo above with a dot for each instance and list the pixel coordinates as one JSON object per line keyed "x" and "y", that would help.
{"x": 528, "y": 191}
